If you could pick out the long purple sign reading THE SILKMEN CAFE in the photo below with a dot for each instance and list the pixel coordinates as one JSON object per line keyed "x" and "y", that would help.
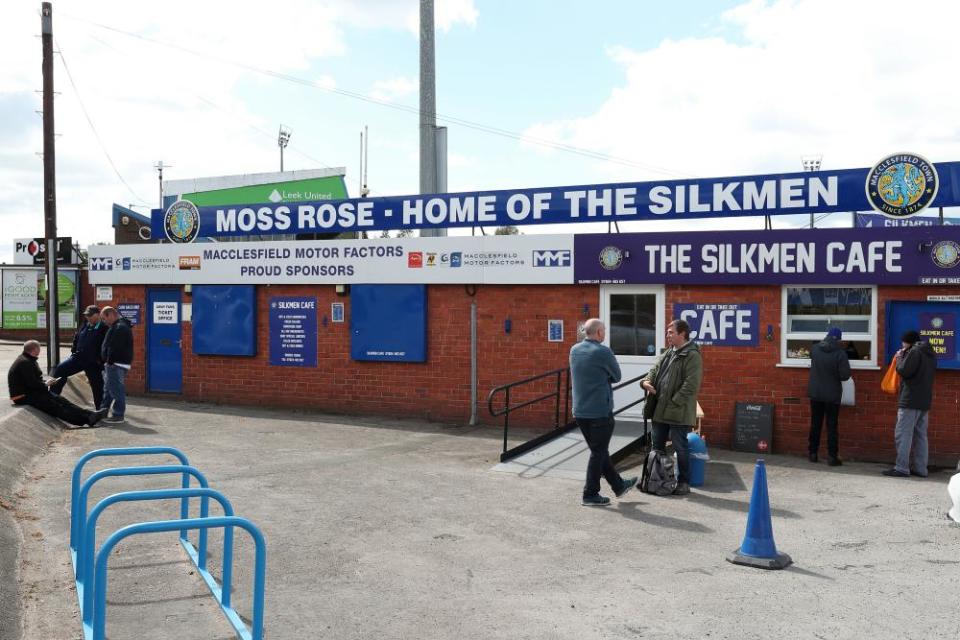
{"x": 915, "y": 255}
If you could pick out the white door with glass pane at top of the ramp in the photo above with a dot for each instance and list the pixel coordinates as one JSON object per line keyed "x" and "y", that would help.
{"x": 634, "y": 317}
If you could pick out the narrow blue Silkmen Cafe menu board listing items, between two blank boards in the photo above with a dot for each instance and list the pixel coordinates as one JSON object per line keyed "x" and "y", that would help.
{"x": 293, "y": 331}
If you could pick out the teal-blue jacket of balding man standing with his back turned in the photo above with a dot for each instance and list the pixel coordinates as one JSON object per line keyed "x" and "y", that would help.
{"x": 592, "y": 368}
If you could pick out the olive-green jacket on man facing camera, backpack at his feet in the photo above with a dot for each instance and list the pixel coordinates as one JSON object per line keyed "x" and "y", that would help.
{"x": 676, "y": 376}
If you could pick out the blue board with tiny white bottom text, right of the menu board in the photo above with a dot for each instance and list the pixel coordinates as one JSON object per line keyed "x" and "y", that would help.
{"x": 388, "y": 322}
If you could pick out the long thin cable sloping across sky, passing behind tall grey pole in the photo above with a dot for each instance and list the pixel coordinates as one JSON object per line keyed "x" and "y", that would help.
{"x": 595, "y": 155}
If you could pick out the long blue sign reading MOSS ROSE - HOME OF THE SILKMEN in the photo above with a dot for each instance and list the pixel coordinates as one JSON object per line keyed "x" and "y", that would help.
{"x": 900, "y": 185}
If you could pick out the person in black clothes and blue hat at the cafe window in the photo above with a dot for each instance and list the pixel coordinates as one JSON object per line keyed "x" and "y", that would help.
{"x": 829, "y": 367}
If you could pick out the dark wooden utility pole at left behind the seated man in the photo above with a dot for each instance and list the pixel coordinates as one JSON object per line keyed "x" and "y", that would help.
{"x": 49, "y": 185}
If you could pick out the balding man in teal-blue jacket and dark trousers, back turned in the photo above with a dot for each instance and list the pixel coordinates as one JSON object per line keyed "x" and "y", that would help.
{"x": 593, "y": 367}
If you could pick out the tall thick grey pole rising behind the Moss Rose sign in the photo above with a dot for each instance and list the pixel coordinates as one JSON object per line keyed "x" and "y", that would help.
{"x": 428, "y": 109}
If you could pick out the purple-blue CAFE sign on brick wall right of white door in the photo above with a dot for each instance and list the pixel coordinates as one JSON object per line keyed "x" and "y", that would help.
{"x": 721, "y": 324}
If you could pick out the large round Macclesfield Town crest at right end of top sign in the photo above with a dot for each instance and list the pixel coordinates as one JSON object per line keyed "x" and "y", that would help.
{"x": 902, "y": 185}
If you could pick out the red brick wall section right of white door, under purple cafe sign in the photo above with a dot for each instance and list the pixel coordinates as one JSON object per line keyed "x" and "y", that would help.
{"x": 750, "y": 374}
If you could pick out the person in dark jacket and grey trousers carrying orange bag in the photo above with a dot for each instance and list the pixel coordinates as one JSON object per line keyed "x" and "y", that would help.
{"x": 916, "y": 364}
